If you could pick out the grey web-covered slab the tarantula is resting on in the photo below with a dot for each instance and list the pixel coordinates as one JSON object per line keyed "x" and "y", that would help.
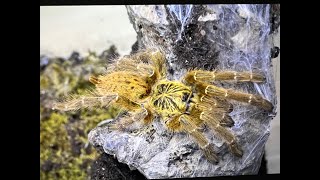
{"x": 236, "y": 37}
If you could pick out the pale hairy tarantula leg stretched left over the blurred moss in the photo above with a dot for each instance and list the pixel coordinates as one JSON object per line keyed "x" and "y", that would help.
{"x": 77, "y": 102}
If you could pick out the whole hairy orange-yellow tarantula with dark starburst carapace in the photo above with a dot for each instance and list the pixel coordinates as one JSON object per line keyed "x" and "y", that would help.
{"x": 138, "y": 85}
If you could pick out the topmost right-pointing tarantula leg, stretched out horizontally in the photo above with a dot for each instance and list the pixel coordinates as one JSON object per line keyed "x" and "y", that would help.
{"x": 211, "y": 76}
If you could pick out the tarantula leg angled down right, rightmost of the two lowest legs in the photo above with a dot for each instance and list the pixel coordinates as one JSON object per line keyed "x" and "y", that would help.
{"x": 223, "y": 132}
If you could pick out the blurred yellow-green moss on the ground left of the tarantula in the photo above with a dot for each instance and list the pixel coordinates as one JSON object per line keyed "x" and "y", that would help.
{"x": 65, "y": 152}
